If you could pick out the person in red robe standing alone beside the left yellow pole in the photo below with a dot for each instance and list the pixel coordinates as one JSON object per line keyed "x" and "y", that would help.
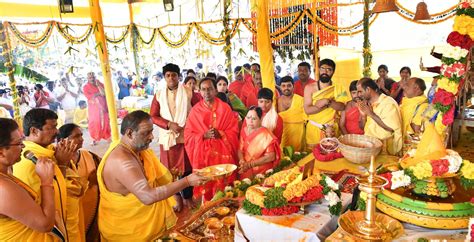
{"x": 99, "y": 124}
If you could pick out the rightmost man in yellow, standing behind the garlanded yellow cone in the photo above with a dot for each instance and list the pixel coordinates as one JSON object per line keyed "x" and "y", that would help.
{"x": 413, "y": 105}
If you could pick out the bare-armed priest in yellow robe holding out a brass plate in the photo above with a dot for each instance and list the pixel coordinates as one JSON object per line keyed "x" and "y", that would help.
{"x": 136, "y": 190}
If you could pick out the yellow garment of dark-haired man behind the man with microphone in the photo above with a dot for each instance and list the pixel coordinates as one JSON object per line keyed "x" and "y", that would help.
{"x": 25, "y": 171}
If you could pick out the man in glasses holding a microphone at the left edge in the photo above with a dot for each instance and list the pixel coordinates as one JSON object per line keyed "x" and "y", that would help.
{"x": 23, "y": 217}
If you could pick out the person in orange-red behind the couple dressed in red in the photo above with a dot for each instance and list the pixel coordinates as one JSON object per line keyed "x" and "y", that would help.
{"x": 244, "y": 87}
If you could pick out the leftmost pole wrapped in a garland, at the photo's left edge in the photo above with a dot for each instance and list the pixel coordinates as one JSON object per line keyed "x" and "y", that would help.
{"x": 6, "y": 53}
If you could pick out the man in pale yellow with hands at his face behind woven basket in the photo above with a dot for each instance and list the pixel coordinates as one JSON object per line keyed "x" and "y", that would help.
{"x": 382, "y": 114}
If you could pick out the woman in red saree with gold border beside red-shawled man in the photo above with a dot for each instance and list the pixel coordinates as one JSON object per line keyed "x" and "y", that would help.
{"x": 259, "y": 149}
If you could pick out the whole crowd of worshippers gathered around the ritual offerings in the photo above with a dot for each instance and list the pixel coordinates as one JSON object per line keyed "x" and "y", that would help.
{"x": 202, "y": 121}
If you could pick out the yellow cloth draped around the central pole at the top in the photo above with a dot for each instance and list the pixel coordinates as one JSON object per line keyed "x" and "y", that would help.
{"x": 264, "y": 46}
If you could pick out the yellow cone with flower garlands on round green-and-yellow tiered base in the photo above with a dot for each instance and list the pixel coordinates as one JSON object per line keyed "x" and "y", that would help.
{"x": 430, "y": 187}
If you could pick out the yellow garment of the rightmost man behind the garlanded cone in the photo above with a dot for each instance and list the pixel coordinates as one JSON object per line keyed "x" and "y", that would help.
{"x": 412, "y": 110}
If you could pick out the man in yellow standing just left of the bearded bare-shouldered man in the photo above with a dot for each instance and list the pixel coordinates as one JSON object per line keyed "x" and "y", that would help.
{"x": 290, "y": 109}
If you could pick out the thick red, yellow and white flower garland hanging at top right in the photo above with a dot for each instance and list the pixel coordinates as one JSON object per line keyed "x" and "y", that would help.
{"x": 453, "y": 68}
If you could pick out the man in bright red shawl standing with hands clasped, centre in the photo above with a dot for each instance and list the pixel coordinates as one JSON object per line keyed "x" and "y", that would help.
{"x": 211, "y": 135}
